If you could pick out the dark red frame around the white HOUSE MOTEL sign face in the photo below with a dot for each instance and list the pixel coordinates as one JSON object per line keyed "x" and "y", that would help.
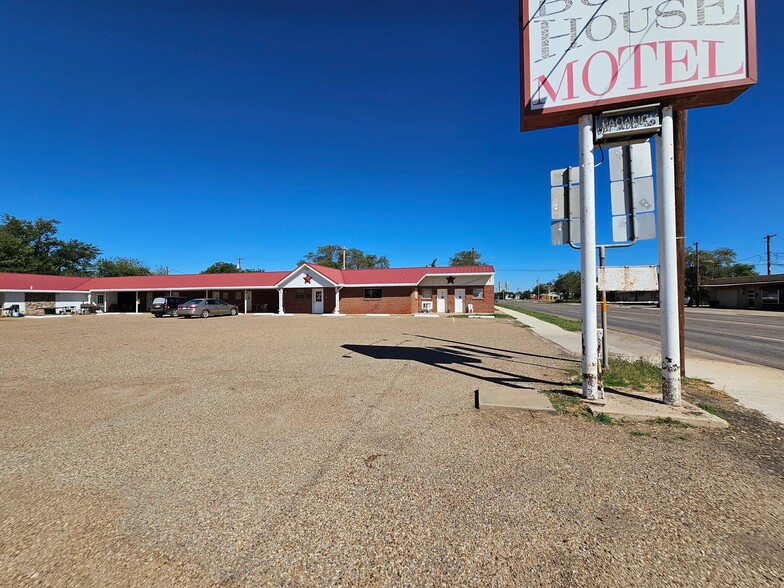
{"x": 686, "y": 97}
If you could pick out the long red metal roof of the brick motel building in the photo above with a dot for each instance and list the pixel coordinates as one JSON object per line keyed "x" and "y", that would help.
{"x": 249, "y": 280}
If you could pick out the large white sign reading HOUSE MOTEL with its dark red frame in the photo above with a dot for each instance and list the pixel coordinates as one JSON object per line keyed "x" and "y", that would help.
{"x": 584, "y": 56}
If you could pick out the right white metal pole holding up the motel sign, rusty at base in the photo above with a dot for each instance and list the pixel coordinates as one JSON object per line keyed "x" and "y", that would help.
{"x": 668, "y": 262}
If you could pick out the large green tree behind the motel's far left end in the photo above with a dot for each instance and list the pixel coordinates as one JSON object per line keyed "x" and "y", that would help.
{"x": 32, "y": 247}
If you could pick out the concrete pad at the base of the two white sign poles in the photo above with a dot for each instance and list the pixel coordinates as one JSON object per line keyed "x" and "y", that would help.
{"x": 642, "y": 407}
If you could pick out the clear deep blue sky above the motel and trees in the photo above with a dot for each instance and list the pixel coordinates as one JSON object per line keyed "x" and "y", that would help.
{"x": 183, "y": 133}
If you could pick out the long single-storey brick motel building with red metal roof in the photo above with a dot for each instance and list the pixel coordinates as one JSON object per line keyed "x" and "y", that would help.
{"x": 309, "y": 289}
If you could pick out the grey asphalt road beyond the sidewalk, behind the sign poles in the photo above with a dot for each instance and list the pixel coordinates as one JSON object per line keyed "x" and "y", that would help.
{"x": 752, "y": 336}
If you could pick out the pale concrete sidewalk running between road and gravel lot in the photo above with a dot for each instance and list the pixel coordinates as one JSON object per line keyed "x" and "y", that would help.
{"x": 756, "y": 387}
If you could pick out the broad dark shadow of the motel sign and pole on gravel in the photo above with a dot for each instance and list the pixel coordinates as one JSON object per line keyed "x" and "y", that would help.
{"x": 447, "y": 359}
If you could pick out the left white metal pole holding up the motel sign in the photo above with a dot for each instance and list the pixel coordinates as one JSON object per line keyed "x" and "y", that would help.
{"x": 588, "y": 260}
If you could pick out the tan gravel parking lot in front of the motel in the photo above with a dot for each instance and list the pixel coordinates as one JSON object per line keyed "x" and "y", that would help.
{"x": 320, "y": 451}
